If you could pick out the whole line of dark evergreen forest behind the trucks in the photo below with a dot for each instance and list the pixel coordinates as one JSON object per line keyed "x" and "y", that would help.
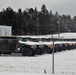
{"x": 34, "y": 22}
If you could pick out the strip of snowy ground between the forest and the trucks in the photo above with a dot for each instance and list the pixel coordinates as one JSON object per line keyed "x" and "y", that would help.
{"x": 61, "y": 35}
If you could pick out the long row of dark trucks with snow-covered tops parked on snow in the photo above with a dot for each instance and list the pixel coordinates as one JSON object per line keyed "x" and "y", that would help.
{"x": 34, "y": 45}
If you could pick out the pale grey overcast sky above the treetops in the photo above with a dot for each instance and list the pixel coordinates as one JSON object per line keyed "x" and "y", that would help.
{"x": 67, "y": 7}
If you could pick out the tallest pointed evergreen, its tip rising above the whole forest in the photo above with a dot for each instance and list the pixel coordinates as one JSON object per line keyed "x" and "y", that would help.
{"x": 43, "y": 19}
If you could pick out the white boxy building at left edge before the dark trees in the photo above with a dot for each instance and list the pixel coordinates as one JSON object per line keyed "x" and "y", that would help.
{"x": 5, "y": 30}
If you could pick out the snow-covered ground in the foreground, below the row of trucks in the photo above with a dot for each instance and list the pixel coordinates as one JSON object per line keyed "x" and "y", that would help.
{"x": 15, "y": 64}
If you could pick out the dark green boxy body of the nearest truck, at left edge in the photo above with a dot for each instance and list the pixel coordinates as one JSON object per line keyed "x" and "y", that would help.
{"x": 8, "y": 44}
